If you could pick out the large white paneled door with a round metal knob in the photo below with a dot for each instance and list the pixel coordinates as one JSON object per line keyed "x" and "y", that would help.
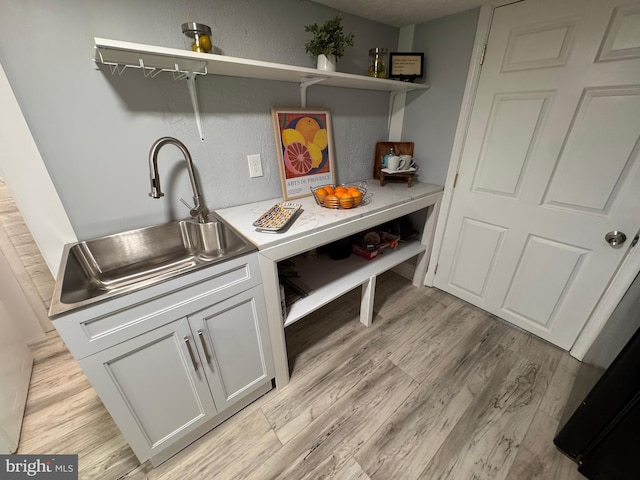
{"x": 550, "y": 165}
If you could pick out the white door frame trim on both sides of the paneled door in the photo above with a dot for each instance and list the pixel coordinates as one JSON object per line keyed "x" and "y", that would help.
{"x": 628, "y": 268}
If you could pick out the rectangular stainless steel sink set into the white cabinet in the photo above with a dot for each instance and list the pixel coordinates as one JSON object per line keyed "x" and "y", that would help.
{"x": 102, "y": 268}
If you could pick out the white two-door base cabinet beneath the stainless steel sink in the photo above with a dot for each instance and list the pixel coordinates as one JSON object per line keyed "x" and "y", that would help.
{"x": 170, "y": 368}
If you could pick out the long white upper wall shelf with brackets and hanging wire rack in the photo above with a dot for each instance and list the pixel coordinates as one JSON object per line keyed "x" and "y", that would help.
{"x": 152, "y": 60}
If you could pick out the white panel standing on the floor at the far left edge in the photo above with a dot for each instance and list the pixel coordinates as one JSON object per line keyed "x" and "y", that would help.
{"x": 15, "y": 371}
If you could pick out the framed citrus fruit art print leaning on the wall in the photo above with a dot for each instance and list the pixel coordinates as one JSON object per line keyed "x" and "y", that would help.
{"x": 305, "y": 149}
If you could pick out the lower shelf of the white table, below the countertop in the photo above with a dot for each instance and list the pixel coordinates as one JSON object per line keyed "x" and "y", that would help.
{"x": 329, "y": 279}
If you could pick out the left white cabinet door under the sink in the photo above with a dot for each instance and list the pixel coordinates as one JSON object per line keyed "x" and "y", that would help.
{"x": 153, "y": 386}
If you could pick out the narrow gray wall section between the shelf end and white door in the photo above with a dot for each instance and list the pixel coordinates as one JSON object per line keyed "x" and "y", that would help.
{"x": 430, "y": 119}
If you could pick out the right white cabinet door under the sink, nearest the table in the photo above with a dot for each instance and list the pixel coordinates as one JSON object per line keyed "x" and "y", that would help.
{"x": 233, "y": 342}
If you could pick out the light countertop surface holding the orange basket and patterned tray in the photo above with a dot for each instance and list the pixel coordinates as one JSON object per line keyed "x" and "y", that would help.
{"x": 314, "y": 218}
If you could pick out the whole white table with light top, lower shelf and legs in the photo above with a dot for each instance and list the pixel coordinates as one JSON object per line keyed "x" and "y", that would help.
{"x": 316, "y": 226}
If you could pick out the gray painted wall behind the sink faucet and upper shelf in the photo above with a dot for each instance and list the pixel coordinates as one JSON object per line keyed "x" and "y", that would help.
{"x": 94, "y": 130}
